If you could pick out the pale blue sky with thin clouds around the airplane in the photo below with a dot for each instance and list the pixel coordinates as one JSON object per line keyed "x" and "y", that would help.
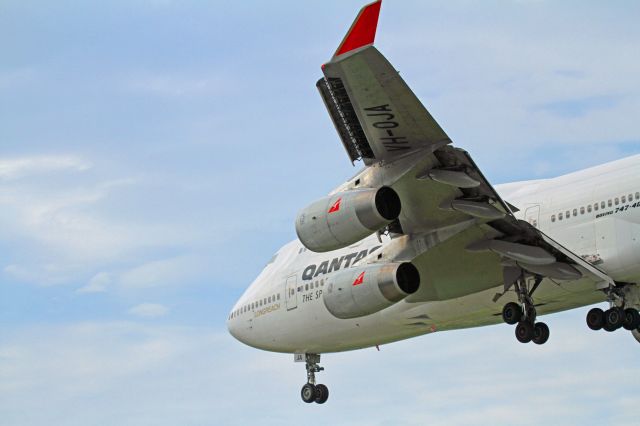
{"x": 154, "y": 153}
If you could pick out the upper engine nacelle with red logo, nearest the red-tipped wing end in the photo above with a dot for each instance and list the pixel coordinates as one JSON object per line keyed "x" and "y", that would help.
{"x": 344, "y": 218}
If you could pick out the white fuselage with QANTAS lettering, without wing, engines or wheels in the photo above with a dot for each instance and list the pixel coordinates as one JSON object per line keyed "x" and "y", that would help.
{"x": 594, "y": 212}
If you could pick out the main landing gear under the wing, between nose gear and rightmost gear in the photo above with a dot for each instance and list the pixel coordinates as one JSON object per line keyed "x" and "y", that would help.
{"x": 524, "y": 314}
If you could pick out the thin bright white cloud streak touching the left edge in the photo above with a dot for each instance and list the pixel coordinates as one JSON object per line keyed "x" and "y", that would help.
{"x": 14, "y": 168}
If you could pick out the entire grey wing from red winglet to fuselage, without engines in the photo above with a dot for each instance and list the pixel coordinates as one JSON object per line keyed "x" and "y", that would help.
{"x": 454, "y": 227}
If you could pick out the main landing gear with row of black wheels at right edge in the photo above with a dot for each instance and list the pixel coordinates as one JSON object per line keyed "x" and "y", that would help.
{"x": 619, "y": 315}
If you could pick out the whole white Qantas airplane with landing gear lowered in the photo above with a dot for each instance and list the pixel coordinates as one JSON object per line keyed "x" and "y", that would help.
{"x": 420, "y": 242}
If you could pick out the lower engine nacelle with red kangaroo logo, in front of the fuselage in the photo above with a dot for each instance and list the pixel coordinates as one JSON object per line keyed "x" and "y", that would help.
{"x": 356, "y": 292}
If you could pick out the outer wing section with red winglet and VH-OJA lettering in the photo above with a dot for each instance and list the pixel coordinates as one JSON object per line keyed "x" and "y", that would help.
{"x": 376, "y": 114}
